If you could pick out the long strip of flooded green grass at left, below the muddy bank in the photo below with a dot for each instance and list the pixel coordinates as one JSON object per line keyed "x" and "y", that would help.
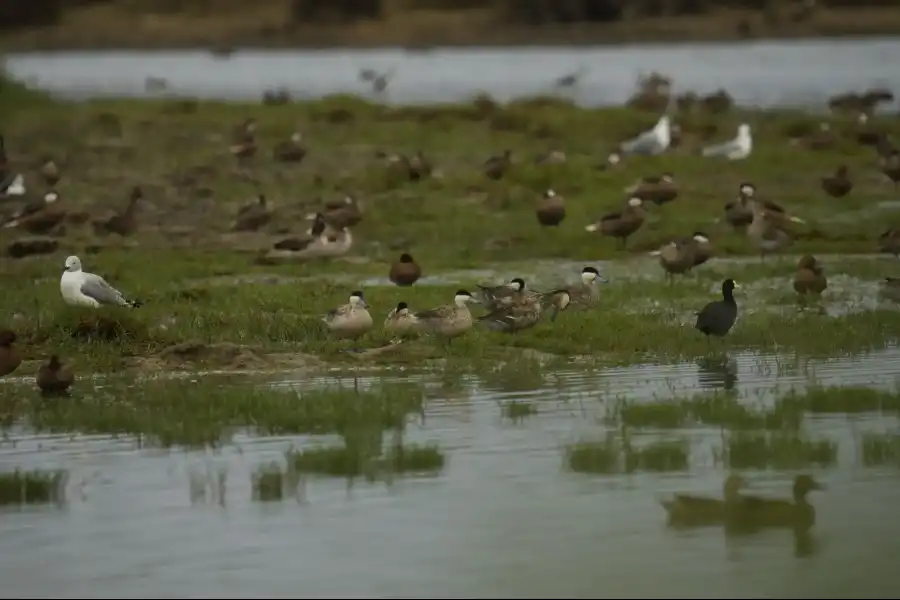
{"x": 205, "y": 411}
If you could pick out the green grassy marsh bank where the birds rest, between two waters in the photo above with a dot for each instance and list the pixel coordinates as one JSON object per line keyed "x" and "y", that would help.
{"x": 203, "y": 286}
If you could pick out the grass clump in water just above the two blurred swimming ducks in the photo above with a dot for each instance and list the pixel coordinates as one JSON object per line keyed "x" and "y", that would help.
{"x": 774, "y": 450}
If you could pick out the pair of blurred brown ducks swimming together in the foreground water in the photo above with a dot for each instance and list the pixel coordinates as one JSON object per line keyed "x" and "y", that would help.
{"x": 741, "y": 512}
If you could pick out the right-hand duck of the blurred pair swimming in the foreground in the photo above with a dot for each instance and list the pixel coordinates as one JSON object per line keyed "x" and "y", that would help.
{"x": 797, "y": 513}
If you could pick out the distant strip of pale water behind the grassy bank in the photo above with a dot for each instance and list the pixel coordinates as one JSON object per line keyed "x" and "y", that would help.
{"x": 765, "y": 73}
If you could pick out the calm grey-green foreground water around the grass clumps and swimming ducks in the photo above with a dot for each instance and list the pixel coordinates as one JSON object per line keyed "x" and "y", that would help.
{"x": 504, "y": 519}
